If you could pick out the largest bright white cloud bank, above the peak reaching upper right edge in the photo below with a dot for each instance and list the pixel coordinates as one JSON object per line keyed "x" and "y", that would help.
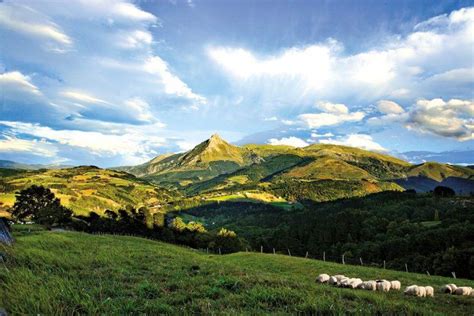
{"x": 404, "y": 66}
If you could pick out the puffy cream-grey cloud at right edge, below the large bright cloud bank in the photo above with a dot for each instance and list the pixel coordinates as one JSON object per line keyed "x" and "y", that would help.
{"x": 453, "y": 118}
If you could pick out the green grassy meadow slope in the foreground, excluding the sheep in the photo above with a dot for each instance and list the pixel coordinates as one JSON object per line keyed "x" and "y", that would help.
{"x": 71, "y": 273}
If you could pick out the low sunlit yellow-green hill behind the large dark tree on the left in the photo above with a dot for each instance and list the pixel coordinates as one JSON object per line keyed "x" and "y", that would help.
{"x": 86, "y": 188}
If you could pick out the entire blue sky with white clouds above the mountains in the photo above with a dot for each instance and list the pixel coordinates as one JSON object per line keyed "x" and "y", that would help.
{"x": 112, "y": 83}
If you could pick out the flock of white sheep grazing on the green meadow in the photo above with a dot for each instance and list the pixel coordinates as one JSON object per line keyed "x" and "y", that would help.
{"x": 385, "y": 286}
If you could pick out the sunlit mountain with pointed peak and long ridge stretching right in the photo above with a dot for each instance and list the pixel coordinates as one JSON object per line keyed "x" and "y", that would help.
{"x": 318, "y": 171}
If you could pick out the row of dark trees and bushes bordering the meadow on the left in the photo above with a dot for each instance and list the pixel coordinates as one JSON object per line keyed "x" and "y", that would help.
{"x": 39, "y": 205}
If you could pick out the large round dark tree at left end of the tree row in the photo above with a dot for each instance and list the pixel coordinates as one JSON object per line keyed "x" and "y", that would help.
{"x": 39, "y": 204}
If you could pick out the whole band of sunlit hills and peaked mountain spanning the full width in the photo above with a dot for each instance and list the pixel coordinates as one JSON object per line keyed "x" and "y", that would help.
{"x": 215, "y": 170}
